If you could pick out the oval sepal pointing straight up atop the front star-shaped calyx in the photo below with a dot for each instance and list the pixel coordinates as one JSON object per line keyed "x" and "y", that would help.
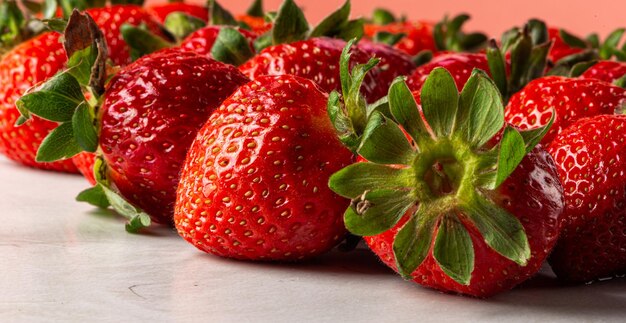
{"x": 440, "y": 99}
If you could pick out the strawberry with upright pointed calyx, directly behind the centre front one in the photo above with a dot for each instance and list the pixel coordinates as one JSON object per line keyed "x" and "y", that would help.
{"x": 299, "y": 50}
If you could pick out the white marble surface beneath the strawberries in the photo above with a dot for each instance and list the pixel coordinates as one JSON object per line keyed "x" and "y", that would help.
{"x": 64, "y": 261}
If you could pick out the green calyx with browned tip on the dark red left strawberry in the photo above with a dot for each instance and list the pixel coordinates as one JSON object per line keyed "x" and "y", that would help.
{"x": 60, "y": 99}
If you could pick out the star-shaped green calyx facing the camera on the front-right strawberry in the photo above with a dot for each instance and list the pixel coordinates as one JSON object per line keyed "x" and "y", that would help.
{"x": 436, "y": 173}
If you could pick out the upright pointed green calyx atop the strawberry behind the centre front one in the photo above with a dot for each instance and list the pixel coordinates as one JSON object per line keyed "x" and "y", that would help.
{"x": 290, "y": 25}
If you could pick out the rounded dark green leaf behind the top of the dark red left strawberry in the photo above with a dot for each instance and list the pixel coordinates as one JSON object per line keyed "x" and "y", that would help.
{"x": 231, "y": 47}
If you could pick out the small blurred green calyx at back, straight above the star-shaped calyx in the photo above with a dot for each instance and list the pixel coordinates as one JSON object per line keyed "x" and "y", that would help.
{"x": 449, "y": 35}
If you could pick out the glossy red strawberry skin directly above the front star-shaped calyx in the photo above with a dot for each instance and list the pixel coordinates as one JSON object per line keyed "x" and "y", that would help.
{"x": 460, "y": 66}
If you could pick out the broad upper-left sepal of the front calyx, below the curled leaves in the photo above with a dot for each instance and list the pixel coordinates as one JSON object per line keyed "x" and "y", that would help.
{"x": 384, "y": 143}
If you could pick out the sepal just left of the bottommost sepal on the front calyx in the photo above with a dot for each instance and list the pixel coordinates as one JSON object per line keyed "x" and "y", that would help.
{"x": 412, "y": 243}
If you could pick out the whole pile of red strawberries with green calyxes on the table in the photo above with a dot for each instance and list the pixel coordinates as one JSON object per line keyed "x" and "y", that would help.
{"x": 464, "y": 162}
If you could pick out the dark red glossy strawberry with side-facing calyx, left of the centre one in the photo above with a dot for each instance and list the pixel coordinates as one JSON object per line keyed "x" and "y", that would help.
{"x": 146, "y": 119}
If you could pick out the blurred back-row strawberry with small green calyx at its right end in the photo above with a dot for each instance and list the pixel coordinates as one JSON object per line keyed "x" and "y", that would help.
{"x": 414, "y": 37}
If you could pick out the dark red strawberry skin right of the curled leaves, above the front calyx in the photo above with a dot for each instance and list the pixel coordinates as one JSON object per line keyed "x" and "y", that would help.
{"x": 393, "y": 63}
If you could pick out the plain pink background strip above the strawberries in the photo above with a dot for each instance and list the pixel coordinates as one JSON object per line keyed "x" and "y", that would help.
{"x": 491, "y": 16}
